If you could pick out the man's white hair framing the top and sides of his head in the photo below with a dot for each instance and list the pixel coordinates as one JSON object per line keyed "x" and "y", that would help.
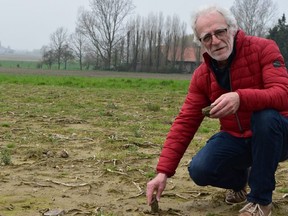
{"x": 227, "y": 14}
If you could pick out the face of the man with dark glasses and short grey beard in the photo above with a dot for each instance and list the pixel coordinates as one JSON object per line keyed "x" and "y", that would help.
{"x": 214, "y": 34}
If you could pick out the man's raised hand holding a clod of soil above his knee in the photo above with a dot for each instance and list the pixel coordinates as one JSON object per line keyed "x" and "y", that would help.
{"x": 225, "y": 105}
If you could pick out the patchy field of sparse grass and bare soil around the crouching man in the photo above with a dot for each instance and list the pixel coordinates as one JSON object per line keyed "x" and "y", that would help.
{"x": 89, "y": 145}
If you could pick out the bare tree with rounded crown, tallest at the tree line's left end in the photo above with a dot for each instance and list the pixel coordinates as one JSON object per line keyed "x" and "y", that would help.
{"x": 58, "y": 42}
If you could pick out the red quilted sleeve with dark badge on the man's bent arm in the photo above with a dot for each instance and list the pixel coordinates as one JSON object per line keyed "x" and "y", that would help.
{"x": 274, "y": 76}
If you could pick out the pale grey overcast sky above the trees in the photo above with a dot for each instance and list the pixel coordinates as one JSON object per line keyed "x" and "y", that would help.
{"x": 28, "y": 24}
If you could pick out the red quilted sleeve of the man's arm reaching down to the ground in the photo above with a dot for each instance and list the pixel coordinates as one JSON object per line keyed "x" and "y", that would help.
{"x": 183, "y": 129}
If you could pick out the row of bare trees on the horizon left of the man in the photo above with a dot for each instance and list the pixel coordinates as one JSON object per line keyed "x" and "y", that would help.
{"x": 105, "y": 38}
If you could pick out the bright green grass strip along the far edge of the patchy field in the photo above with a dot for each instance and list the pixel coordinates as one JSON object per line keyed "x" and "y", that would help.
{"x": 151, "y": 85}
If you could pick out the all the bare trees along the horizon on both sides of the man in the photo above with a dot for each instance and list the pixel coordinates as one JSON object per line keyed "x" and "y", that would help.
{"x": 107, "y": 37}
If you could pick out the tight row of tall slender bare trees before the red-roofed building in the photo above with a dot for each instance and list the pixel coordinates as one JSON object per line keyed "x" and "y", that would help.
{"x": 153, "y": 42}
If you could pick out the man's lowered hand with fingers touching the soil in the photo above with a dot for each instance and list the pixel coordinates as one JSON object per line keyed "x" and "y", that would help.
{"x": 157, "y": 184}
